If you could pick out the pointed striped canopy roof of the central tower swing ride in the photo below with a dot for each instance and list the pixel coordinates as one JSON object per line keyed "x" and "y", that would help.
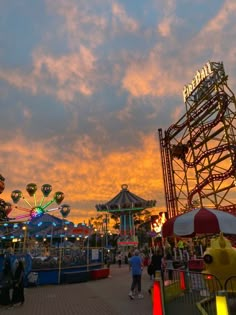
{"x": 126, "y": 201}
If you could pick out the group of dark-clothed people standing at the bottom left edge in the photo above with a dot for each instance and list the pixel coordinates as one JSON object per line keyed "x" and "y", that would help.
{"x": 12, "y": 284}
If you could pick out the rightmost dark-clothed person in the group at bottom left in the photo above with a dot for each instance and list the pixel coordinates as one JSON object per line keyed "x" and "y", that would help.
{"x": 18, "y": 284}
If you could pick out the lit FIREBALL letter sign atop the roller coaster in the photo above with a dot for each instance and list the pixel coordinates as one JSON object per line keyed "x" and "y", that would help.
{"x": 199, "y": 77}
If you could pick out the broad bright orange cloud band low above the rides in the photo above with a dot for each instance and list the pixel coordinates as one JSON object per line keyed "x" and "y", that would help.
{"x": 85, "y": 175}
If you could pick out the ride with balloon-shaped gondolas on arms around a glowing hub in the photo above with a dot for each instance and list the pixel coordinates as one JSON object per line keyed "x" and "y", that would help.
{"x": 34, "y": 207}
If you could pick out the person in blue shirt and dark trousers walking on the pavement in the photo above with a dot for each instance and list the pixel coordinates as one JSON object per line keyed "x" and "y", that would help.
{"x": 136, "y": 267}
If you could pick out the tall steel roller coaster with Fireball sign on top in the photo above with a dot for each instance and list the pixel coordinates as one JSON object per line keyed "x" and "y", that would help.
{"x": 198, "y": 152}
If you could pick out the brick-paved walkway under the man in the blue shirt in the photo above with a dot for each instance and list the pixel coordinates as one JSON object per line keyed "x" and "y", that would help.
{"x": 102, "y": 297}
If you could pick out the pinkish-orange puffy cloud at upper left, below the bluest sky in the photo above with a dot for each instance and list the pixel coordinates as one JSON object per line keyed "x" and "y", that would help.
{"x": 72, "y": 74}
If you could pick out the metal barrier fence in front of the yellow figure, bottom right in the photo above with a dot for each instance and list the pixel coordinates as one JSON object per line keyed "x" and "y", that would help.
{"x": 194, "y": 293}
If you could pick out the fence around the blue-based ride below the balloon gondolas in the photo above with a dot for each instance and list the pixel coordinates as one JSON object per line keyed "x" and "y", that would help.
{"x": 57, "y": 262}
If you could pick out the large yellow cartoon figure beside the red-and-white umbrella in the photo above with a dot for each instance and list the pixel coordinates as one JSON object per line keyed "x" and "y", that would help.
{"x": 220, "y": 262}
